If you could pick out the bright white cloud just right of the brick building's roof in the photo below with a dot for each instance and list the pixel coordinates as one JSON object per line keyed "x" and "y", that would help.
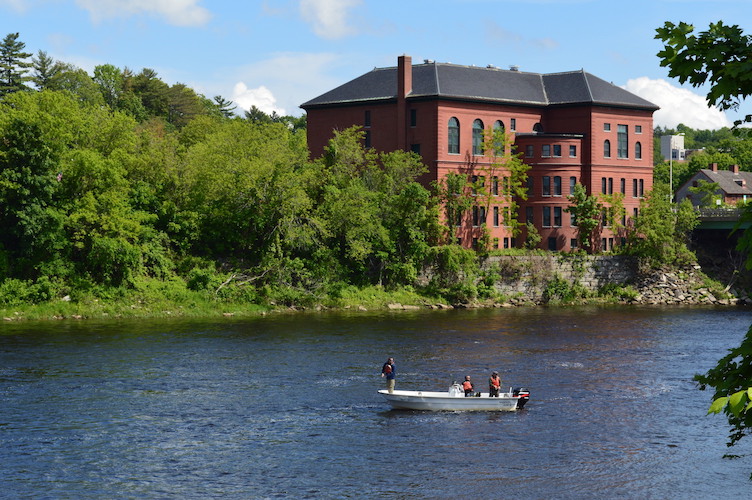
{"x": 678, "y": 105}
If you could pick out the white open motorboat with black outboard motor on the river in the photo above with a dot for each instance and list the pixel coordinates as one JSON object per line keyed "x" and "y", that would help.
{"x": 455, "y": 400}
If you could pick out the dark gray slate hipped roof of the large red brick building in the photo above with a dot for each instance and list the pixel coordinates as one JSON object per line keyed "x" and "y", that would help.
{"x": 451, "y": 81}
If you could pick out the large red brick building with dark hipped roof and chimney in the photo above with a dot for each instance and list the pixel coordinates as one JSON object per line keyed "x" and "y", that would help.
{"x": 568, "y": 127}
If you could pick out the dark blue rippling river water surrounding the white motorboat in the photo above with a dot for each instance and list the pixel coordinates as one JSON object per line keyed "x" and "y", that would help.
{"x": 286, "y": 407}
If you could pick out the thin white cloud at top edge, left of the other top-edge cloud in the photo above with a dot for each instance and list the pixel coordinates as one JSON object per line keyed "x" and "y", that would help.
{"x": 176, "y": 12}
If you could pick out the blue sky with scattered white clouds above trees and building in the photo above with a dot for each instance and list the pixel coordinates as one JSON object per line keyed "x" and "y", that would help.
{"x": 278, "y": 54}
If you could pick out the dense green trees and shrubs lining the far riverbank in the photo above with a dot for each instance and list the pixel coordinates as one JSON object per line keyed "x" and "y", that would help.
{"x": 121, "y": 195}
